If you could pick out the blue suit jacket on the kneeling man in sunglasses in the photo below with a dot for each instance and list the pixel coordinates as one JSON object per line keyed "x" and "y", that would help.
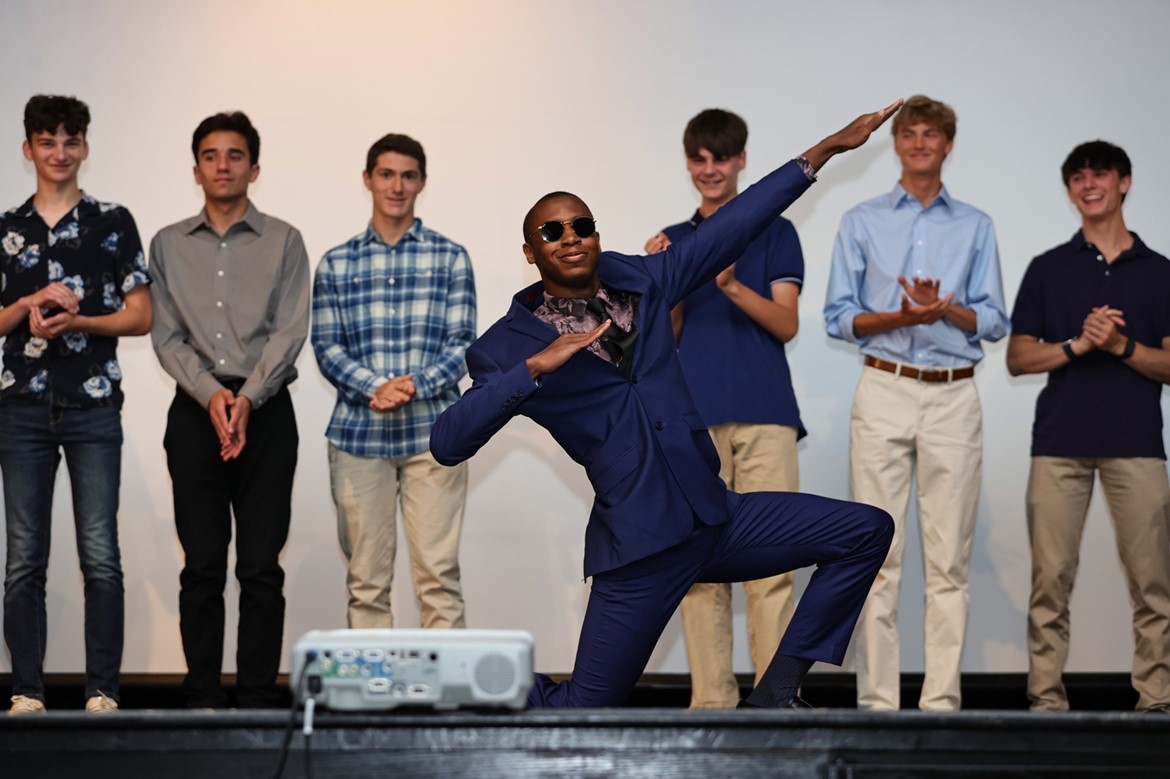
{"x": 644, "y": 446}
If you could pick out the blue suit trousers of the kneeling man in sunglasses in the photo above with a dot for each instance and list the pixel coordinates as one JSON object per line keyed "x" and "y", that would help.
{"x": 769, "y": 534}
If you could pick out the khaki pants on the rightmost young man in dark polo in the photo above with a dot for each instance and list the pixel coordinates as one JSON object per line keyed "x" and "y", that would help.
{"x": 1058, "y": 500}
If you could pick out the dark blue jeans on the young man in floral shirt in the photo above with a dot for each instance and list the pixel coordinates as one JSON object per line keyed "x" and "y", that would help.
{"x": 32, "y": 442}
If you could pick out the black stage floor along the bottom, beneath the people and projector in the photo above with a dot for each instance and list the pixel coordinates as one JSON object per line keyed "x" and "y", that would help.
{"x": 638, "y": 741}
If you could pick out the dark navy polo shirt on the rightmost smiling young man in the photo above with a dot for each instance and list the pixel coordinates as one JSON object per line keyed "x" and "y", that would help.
{"x": 1097, "y": 406}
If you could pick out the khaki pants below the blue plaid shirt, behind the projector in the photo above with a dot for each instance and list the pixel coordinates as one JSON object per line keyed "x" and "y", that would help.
{"x": 367, "y": 493}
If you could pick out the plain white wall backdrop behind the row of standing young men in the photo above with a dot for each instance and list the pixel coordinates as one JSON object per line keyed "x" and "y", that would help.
{"x": 518, "y": 98}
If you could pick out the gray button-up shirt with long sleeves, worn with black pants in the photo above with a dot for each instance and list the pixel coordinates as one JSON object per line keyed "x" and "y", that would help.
{"x": 232, "y": 306}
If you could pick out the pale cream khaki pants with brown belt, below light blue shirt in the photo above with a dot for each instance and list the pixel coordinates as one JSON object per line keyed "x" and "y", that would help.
{"x": 898, "y": 425}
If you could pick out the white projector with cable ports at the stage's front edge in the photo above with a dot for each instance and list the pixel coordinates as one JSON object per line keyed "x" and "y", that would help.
{"x": 361, "y": 671}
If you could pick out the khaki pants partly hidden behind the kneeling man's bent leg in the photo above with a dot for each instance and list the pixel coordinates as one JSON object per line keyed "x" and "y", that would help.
{"x": 754, "y": 459}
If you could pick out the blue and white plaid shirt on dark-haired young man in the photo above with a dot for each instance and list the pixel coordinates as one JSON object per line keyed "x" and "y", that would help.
{"x": 381, "y": 312}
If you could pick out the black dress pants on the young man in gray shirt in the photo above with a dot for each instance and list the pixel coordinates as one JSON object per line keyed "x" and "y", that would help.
{"x": 258, "y": 488}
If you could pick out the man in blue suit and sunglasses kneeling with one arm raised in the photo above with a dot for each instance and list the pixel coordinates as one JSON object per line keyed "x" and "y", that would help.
{"x": 611, "y": 392}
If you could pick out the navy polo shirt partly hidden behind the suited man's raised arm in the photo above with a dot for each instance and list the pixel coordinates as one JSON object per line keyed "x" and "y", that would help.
{"x": 738, "y": 371}
